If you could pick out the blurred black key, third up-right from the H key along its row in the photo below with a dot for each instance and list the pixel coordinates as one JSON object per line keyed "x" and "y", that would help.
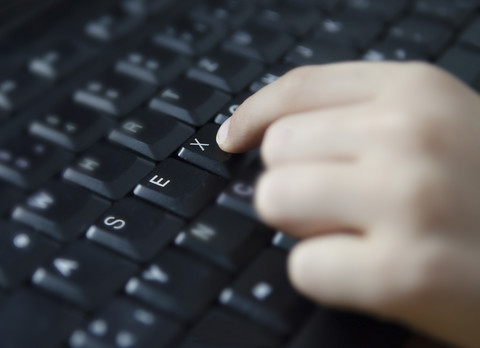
{"x": 226, "y": 71}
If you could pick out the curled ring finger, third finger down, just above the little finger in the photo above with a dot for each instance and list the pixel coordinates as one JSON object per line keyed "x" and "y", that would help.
{"x": 305, "y": 199}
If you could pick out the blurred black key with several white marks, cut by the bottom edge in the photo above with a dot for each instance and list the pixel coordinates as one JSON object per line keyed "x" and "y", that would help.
{"x": 122, "y": 323}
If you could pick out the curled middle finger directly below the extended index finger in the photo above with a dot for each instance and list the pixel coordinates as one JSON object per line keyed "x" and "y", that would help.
{"x": 344, "y": 133}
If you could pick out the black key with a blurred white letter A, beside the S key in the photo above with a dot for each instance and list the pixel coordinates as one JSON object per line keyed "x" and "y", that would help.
{"x": 84, "y": 274}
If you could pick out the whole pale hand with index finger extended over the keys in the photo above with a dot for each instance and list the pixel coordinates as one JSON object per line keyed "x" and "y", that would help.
{"x": 376, "y": 168}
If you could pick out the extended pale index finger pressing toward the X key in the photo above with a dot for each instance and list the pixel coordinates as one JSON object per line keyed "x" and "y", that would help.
{"x": 300, "y": 90}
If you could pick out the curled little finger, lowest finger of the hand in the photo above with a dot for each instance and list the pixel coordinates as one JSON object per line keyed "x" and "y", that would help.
{"x": 336, "y": 269}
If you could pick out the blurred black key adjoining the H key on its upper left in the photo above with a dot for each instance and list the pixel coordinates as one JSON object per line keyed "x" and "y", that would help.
{"x": 71, "y": 126}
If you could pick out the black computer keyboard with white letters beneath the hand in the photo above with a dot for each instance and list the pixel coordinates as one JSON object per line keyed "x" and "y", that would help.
{"x": 122, "y": 223}
